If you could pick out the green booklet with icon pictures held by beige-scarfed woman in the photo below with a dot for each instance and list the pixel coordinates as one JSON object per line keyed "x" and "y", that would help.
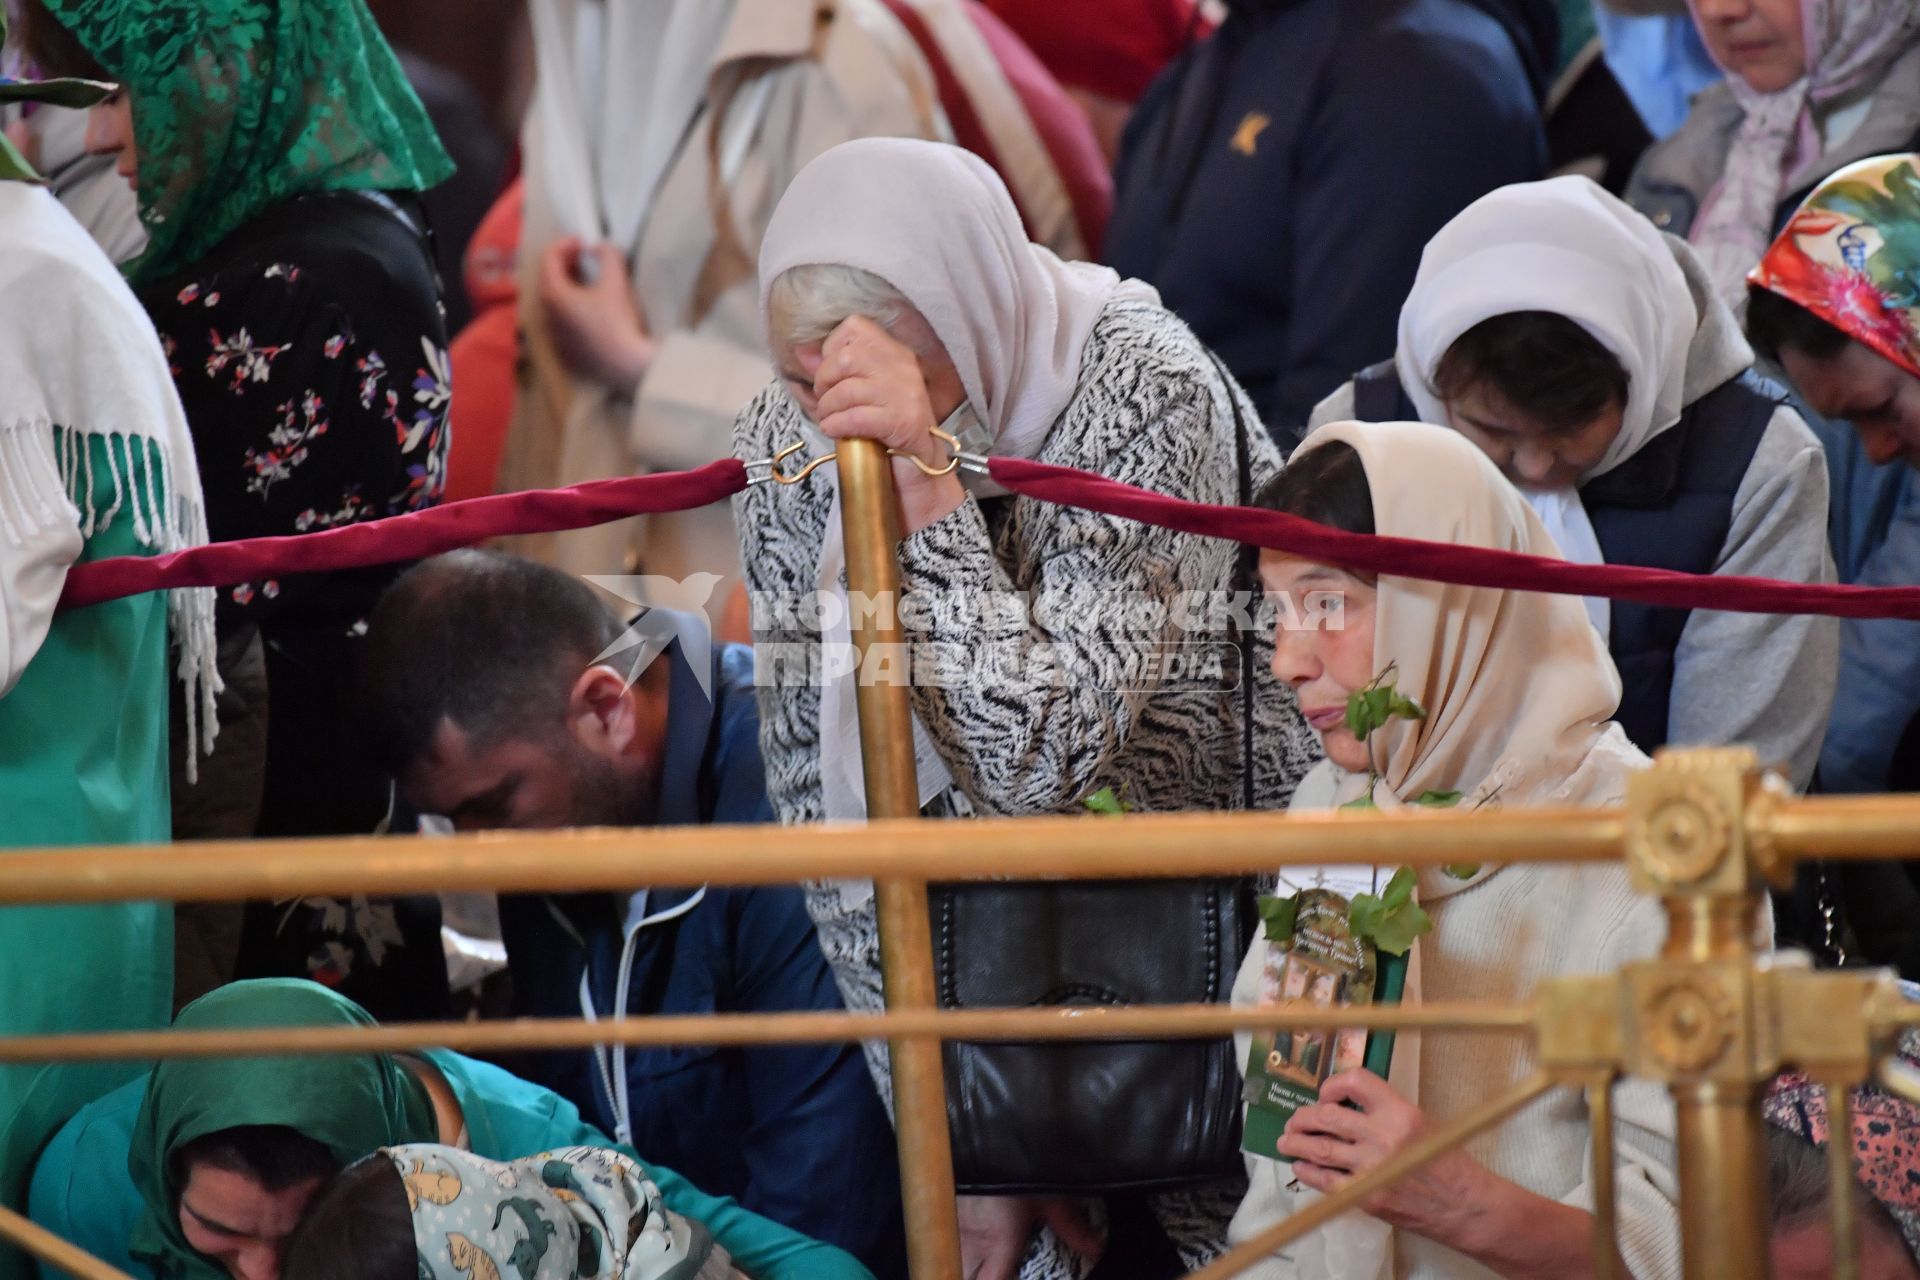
{"x": 1326, "y": 964}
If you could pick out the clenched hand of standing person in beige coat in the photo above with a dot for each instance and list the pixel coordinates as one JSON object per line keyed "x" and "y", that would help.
{"x": 592, "y": 314}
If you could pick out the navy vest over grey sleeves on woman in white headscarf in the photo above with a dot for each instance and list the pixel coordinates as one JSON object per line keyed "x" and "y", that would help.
{"x": 1666, "y": 508}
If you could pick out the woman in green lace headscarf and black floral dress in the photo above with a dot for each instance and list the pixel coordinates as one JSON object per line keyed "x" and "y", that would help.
{"x": 279, "y": 154}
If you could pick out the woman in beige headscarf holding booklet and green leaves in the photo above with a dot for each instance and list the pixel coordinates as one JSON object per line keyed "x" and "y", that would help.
{"x": 1520, "y": 696}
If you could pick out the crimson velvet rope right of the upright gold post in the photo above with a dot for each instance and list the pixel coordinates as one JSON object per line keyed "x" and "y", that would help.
{"x": 1472, "y": 567}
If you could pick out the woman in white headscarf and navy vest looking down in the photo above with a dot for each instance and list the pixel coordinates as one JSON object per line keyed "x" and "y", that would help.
{"x": 1589, "y": 356}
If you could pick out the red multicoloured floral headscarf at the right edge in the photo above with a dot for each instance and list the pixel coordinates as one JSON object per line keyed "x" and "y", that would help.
{"x": 1852, "y": 256}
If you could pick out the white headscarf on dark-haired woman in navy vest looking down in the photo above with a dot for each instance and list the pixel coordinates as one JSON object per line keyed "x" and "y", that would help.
{"x": 1572, "y": 249}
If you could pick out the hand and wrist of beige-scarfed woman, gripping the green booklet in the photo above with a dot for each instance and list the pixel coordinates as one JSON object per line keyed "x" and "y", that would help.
{"x": 1332, "y": 1145}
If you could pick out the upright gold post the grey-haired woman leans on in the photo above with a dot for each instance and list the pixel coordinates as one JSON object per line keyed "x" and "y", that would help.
{"x": 873, "y": 533}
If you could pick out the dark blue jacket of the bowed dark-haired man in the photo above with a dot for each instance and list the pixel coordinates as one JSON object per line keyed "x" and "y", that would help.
{"x": 794, "y": 1133}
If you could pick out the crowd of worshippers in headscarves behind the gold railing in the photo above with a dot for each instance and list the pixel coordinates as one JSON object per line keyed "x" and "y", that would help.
{"x": 1614, "y": 283}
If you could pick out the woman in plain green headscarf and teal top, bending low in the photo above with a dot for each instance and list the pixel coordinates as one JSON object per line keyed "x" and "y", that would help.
{"x": 203, "y": 1168}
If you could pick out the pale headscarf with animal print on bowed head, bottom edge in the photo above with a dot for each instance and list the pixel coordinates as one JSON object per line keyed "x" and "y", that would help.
{"x": 579, "y": 1214}
